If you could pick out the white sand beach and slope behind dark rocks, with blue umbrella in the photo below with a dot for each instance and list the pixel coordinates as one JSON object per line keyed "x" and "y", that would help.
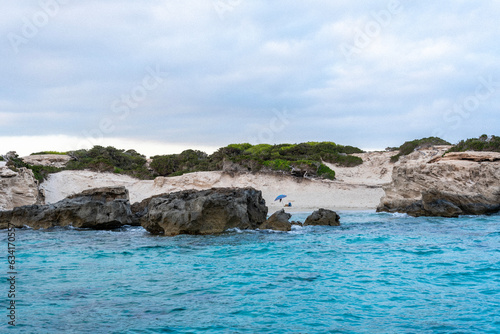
{"x": 356, "y": 188}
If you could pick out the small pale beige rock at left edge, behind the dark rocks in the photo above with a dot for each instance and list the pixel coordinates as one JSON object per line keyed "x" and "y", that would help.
{"x": 18, "y": 188}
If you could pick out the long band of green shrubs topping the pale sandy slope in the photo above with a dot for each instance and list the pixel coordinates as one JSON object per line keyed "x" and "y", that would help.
{"x": 305, "y": 159}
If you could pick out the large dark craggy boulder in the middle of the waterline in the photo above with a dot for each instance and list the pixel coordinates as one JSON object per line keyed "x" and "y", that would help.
{"x": 204, "y": 212}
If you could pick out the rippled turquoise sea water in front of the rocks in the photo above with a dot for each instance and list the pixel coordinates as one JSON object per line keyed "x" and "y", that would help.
{"x": 377, "y": 273}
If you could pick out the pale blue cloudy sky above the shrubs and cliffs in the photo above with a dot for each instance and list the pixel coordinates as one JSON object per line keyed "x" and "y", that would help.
{"x": 164, "y": 76}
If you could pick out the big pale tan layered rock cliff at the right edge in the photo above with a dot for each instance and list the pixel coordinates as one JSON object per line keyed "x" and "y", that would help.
{"x": 456, "y": 184}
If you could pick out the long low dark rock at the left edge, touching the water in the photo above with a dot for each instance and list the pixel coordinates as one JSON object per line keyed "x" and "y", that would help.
{"x": 101, "y": 208}
